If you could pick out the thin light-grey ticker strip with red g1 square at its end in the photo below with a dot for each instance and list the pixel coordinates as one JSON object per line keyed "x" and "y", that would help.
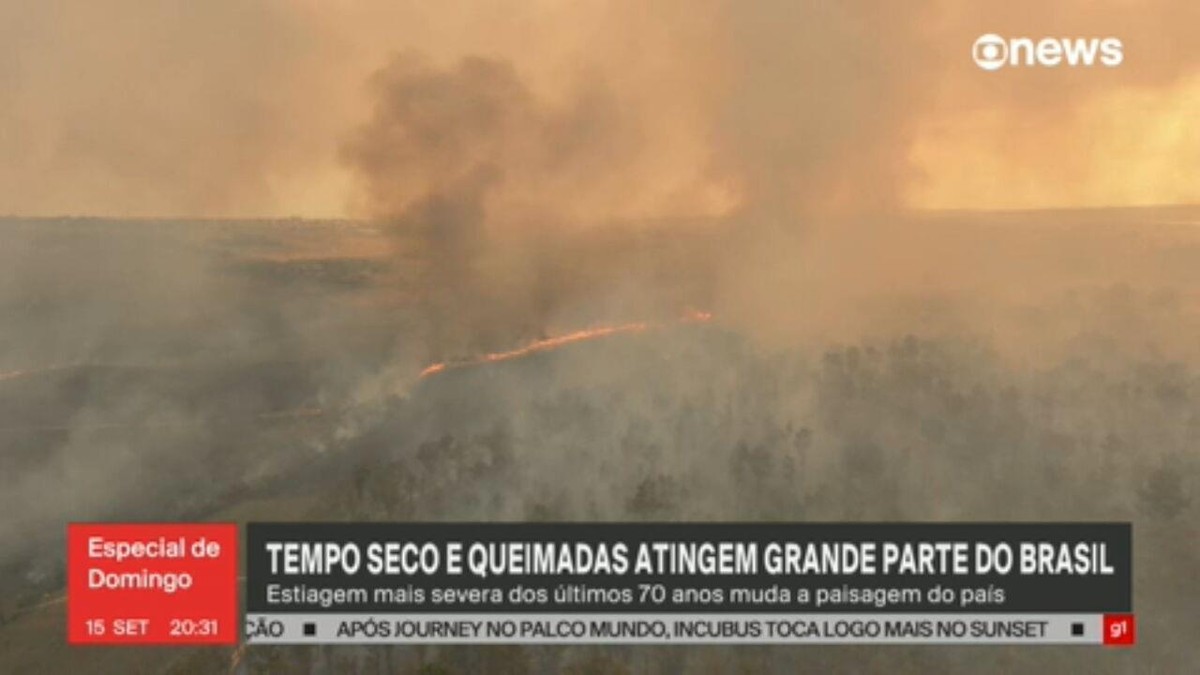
{"x": 691, "y": 630}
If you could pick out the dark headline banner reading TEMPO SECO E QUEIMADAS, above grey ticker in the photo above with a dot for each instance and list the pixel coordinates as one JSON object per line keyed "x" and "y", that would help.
{"x": 722, "y": 568}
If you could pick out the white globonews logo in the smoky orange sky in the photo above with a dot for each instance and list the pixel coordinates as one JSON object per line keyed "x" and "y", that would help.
{"x": 993, "y": 52}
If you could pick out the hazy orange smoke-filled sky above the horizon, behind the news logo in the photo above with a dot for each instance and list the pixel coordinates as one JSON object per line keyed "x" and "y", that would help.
{"x": 610, "y": 110}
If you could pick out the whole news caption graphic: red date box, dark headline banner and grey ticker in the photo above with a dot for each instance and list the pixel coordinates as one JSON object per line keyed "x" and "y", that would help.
{"x": 175, "y": 583}
